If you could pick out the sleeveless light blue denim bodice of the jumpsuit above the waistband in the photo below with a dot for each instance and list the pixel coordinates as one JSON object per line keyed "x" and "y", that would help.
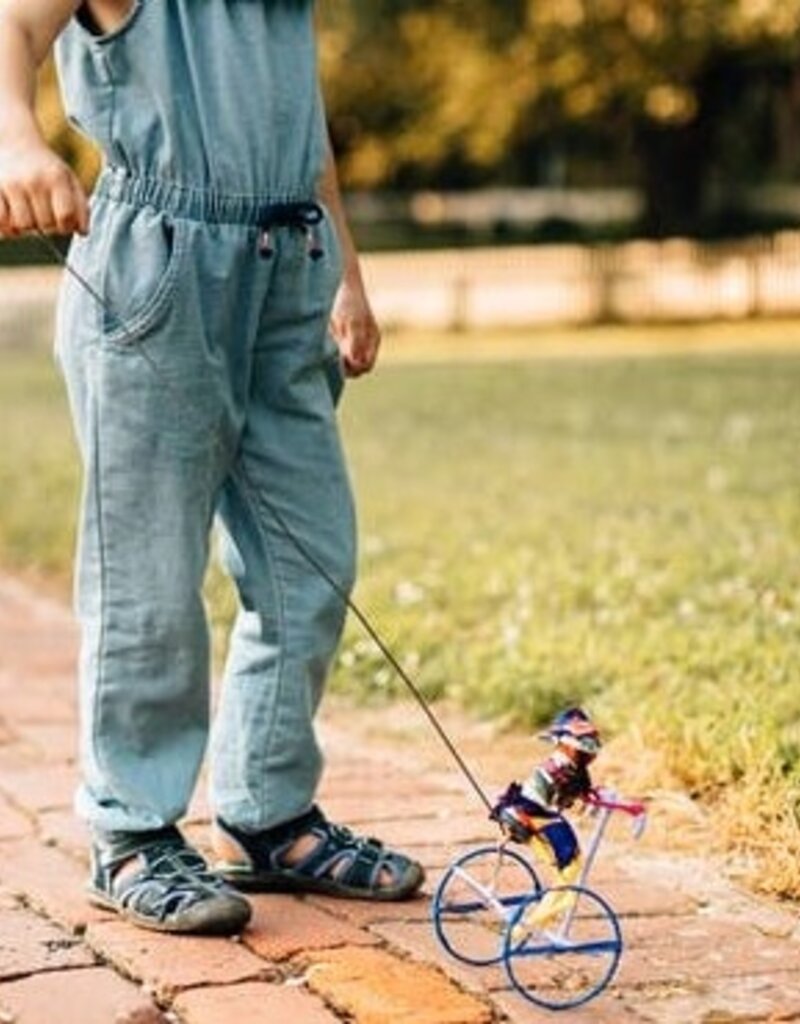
{"x": 221, "y": 95}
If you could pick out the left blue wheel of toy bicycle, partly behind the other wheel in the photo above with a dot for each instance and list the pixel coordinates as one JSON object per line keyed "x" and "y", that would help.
{"x": 477, "y": 899}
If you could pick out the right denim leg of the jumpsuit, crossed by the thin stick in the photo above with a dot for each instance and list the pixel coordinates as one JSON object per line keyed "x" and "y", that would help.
{"x": 267, "y": 761}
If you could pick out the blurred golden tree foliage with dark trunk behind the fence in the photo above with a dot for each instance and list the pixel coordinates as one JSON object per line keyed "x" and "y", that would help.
{"x": 419, "y": 89}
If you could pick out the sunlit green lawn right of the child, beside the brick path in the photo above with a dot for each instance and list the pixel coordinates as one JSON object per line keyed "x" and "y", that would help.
{"x": 615, "y": 533}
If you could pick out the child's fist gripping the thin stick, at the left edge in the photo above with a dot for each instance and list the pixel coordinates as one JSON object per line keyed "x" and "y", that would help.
{"x": 38, "y": 192}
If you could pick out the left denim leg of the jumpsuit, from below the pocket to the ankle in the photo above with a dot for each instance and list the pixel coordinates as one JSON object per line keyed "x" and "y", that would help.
{"x": 146, "y": 412}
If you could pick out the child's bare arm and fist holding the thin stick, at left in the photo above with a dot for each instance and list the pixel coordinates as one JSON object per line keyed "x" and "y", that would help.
{"x": 37, "y": 190}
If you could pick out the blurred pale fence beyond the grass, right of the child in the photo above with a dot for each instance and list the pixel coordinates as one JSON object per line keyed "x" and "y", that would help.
{"x": 634, "y": 282}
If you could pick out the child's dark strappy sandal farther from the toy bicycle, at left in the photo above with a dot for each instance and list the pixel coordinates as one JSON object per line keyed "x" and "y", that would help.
{"x": 157, "y": 881}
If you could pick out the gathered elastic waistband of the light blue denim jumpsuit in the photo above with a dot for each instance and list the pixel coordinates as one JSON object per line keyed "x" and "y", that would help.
{"x": 193, "y": 203}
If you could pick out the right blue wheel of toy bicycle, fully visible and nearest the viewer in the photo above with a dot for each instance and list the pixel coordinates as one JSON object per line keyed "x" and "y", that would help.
{"x": 563, "y": 948}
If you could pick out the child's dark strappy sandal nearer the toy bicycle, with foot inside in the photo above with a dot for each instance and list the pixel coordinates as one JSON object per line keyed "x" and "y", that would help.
{"x": 340, "y": 865}
